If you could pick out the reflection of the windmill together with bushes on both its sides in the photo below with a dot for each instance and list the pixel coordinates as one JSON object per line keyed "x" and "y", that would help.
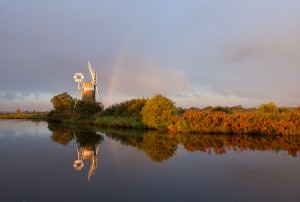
{"x": 87, "y": 144}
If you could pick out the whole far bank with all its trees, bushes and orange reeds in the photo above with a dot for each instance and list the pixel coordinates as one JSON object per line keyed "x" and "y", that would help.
{"x": 159, "y": 113}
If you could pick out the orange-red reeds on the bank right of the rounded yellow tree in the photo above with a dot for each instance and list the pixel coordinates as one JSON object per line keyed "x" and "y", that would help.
{"x": 254, "y": 122}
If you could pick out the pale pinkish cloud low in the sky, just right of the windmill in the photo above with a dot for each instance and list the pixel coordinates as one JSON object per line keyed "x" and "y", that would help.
{"x": 144, "y": 79}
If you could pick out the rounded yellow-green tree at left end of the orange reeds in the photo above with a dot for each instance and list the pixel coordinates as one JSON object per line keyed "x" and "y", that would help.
{"x": 157, "y": 111}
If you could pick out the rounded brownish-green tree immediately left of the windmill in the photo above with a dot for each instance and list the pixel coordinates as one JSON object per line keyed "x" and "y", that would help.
{"x": 62, "y": 102}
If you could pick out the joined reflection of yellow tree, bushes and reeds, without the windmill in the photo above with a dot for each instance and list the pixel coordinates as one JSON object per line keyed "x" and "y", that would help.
{"x": 162, "y": 146}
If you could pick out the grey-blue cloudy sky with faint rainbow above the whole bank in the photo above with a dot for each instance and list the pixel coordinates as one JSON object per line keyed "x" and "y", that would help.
{"x": 197, "y": 52}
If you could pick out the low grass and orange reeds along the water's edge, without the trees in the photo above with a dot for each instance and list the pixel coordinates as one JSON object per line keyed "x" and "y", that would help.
{"x": 194, "y": 122}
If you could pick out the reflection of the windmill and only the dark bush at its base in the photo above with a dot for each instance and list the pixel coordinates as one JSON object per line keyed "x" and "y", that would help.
{"x": 87, "y": 147}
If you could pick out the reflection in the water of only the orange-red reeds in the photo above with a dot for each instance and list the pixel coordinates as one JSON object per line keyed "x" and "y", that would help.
{"x": 239, "y": 143}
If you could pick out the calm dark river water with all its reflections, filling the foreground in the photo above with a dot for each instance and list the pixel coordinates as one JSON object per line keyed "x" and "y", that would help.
{"x": 37, "y": 164}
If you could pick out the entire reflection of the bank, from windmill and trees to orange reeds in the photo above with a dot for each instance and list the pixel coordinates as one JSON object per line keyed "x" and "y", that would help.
{"x": 160, "y": 146}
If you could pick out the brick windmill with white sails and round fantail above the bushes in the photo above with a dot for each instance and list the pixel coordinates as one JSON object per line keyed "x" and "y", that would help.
{"x": 88, "y": 88}
